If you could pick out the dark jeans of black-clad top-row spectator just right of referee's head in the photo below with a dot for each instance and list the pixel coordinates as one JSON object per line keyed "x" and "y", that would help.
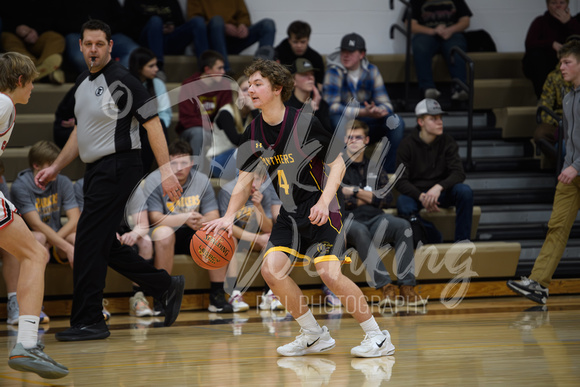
{"x": 192, "y": 31}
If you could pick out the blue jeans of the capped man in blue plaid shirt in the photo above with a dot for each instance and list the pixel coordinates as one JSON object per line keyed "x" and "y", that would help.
{"x": 392, "y": 126}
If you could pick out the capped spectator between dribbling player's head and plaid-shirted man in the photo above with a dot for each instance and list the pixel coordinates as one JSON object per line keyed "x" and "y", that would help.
{"x": 305, "y": 88}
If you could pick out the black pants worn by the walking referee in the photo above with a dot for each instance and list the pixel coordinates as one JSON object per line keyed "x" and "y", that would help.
{"x": 107, "y": 186}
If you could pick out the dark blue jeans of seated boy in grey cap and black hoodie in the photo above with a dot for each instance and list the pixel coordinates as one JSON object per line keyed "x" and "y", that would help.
{"x": 460, "y": 196}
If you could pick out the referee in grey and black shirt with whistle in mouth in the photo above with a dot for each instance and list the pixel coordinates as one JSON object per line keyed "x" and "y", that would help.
{"x": 106, "y": 137}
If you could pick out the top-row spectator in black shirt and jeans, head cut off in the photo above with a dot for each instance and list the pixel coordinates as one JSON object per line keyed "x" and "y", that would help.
{"x": 436, "y": 27}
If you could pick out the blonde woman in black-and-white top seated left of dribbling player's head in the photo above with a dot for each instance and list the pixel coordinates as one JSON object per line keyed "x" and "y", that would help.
{"x": 229, "y": 125}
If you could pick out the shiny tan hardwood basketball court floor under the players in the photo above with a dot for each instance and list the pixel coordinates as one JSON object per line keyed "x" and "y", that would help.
{"x": 499, "y": 341}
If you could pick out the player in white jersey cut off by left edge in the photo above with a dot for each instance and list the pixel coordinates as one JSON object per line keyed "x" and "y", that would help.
{"x": 16, "y": 75}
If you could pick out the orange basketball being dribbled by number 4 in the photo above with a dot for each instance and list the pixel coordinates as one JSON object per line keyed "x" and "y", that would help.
{"x": 212, "y": 250}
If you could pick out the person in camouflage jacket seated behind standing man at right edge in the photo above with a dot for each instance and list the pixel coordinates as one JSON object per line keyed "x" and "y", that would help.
{"x": 553, "y": 92}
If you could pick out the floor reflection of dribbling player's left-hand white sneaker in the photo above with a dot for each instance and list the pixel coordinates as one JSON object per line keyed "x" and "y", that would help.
{"x": 311, "y": 371}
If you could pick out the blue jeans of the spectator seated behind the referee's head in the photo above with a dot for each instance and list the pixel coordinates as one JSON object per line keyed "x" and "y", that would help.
{"x": 122, "y": 48}
